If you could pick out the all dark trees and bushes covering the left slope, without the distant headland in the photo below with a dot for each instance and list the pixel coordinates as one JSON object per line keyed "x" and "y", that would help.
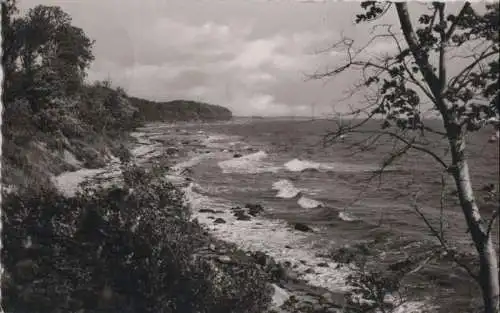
{"x": 120, "y": 249}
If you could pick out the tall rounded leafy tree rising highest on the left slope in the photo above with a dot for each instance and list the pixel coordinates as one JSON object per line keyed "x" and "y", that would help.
{"x": 52, "y": 53}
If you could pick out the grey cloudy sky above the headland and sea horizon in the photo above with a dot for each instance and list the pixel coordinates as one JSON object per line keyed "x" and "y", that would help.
{"x": 252, "y": 56}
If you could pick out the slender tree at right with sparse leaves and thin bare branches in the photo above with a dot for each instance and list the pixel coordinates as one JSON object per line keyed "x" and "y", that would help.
{"x": 466, "y": 100}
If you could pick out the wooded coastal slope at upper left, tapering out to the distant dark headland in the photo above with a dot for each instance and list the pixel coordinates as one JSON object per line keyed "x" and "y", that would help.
{"x": 52, "y": 120}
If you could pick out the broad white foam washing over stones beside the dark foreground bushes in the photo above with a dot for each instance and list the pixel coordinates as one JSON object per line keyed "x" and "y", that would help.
{"x": 273, "y": 237}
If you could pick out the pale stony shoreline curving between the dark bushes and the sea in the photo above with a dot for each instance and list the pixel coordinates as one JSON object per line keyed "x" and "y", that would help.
{"x": 308, "y": 282}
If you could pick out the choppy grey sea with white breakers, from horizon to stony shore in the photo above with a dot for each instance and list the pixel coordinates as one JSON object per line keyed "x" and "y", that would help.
{"x": 338, "y": 188}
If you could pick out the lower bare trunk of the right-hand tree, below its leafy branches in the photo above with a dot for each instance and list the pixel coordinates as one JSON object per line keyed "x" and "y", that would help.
{"x": 488, "y": 271}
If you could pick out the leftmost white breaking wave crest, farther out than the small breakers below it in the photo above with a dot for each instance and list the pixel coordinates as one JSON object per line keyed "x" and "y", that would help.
{"x": 248, "y": 164}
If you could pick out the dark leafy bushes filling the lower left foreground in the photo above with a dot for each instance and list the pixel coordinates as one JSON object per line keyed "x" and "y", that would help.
{"x": 119, "y": 249}
